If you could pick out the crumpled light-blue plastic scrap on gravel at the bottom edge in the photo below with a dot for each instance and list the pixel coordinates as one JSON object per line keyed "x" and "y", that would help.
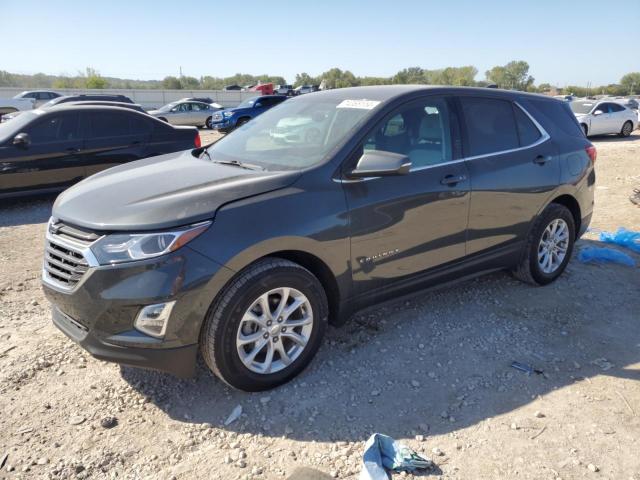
{"x": 382, "y": 452}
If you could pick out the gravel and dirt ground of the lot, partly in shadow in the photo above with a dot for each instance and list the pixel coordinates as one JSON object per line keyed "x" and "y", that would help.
{"x": 432, "y": 369}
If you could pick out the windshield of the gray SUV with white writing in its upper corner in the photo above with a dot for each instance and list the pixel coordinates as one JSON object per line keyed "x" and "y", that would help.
{"x": 294, "y": 135}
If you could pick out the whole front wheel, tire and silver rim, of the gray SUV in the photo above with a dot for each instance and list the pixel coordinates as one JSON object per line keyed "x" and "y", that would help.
{"x": 266, "y": 326}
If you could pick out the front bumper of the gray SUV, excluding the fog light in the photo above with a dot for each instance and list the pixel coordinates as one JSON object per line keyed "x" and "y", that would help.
{"x": 99, "y": 313}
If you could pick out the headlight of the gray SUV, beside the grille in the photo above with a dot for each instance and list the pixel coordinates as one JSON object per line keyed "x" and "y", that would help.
{"x": 127, "y": 247}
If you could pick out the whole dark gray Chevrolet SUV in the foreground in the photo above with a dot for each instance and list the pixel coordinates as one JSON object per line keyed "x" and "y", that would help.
{"x": 246, "y": 250}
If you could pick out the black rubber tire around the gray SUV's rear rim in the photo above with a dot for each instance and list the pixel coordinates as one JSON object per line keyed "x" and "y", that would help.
{"x": 529, "y": 269}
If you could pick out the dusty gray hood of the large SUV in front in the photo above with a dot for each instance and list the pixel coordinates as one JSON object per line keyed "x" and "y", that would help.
{"x": 161, "y": 192}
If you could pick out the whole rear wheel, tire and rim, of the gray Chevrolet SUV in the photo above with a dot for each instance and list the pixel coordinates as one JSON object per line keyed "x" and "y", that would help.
{"x": 549, "y": 246}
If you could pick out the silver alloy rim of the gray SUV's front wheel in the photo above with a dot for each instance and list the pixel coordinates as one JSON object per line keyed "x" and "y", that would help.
{"x": 275, "y": 330}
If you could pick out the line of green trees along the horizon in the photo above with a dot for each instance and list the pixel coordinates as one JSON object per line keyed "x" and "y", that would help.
{"x": 513, "y": 76}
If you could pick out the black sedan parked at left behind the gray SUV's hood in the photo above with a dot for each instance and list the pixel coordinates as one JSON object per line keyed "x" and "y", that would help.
{"x": 48, "y": 150}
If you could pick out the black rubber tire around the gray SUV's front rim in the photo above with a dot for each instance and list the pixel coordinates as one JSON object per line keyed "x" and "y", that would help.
{"x": 218, "y": 335}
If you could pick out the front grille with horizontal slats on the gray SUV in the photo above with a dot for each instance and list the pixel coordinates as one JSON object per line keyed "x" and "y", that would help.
{"x": 64, "y": 261}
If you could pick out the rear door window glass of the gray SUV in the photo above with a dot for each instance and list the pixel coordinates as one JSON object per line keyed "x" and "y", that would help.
{"x": 491, "y": 125}
